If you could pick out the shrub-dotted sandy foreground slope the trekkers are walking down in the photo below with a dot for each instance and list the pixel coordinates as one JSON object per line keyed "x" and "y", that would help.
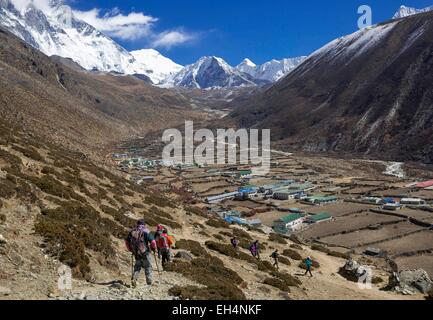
{"x": 58, "y": 208}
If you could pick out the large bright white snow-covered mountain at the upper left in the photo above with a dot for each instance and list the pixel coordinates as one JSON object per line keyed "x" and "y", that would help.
{"x": 56, "y": 31}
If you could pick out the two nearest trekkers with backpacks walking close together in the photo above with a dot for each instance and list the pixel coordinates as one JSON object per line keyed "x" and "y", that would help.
{"x": 141, "y": 242}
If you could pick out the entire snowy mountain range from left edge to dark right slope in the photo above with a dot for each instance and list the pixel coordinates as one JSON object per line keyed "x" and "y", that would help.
{"x": 57, "y": 32}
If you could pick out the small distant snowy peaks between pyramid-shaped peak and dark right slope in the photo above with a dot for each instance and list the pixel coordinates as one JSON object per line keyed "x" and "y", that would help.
{"x": 271, "y": 71}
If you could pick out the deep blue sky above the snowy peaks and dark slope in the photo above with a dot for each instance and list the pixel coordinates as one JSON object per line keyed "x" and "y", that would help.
{"x": 235, "y": 29}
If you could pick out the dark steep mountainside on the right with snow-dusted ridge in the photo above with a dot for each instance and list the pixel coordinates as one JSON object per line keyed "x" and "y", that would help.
{"x": 366, "y": 93}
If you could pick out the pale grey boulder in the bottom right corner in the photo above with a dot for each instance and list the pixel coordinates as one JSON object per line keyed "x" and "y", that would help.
{"x": 410, "y": 282}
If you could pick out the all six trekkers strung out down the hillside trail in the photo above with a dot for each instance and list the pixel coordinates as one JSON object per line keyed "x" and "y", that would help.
{"x": 142, "y": 243}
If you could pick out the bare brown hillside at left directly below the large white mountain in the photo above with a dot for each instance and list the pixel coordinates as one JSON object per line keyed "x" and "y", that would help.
{"x": 77, "y": 108}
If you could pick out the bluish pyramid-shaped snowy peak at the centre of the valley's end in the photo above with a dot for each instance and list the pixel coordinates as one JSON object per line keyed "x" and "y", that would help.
{"x": 211, "y": 72}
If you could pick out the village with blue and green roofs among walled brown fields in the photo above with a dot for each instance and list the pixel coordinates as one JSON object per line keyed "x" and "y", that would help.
{"x": 366, "y": 209}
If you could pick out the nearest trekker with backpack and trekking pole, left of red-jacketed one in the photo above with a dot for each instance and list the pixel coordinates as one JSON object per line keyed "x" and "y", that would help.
{"x": 140, "y": 243}
